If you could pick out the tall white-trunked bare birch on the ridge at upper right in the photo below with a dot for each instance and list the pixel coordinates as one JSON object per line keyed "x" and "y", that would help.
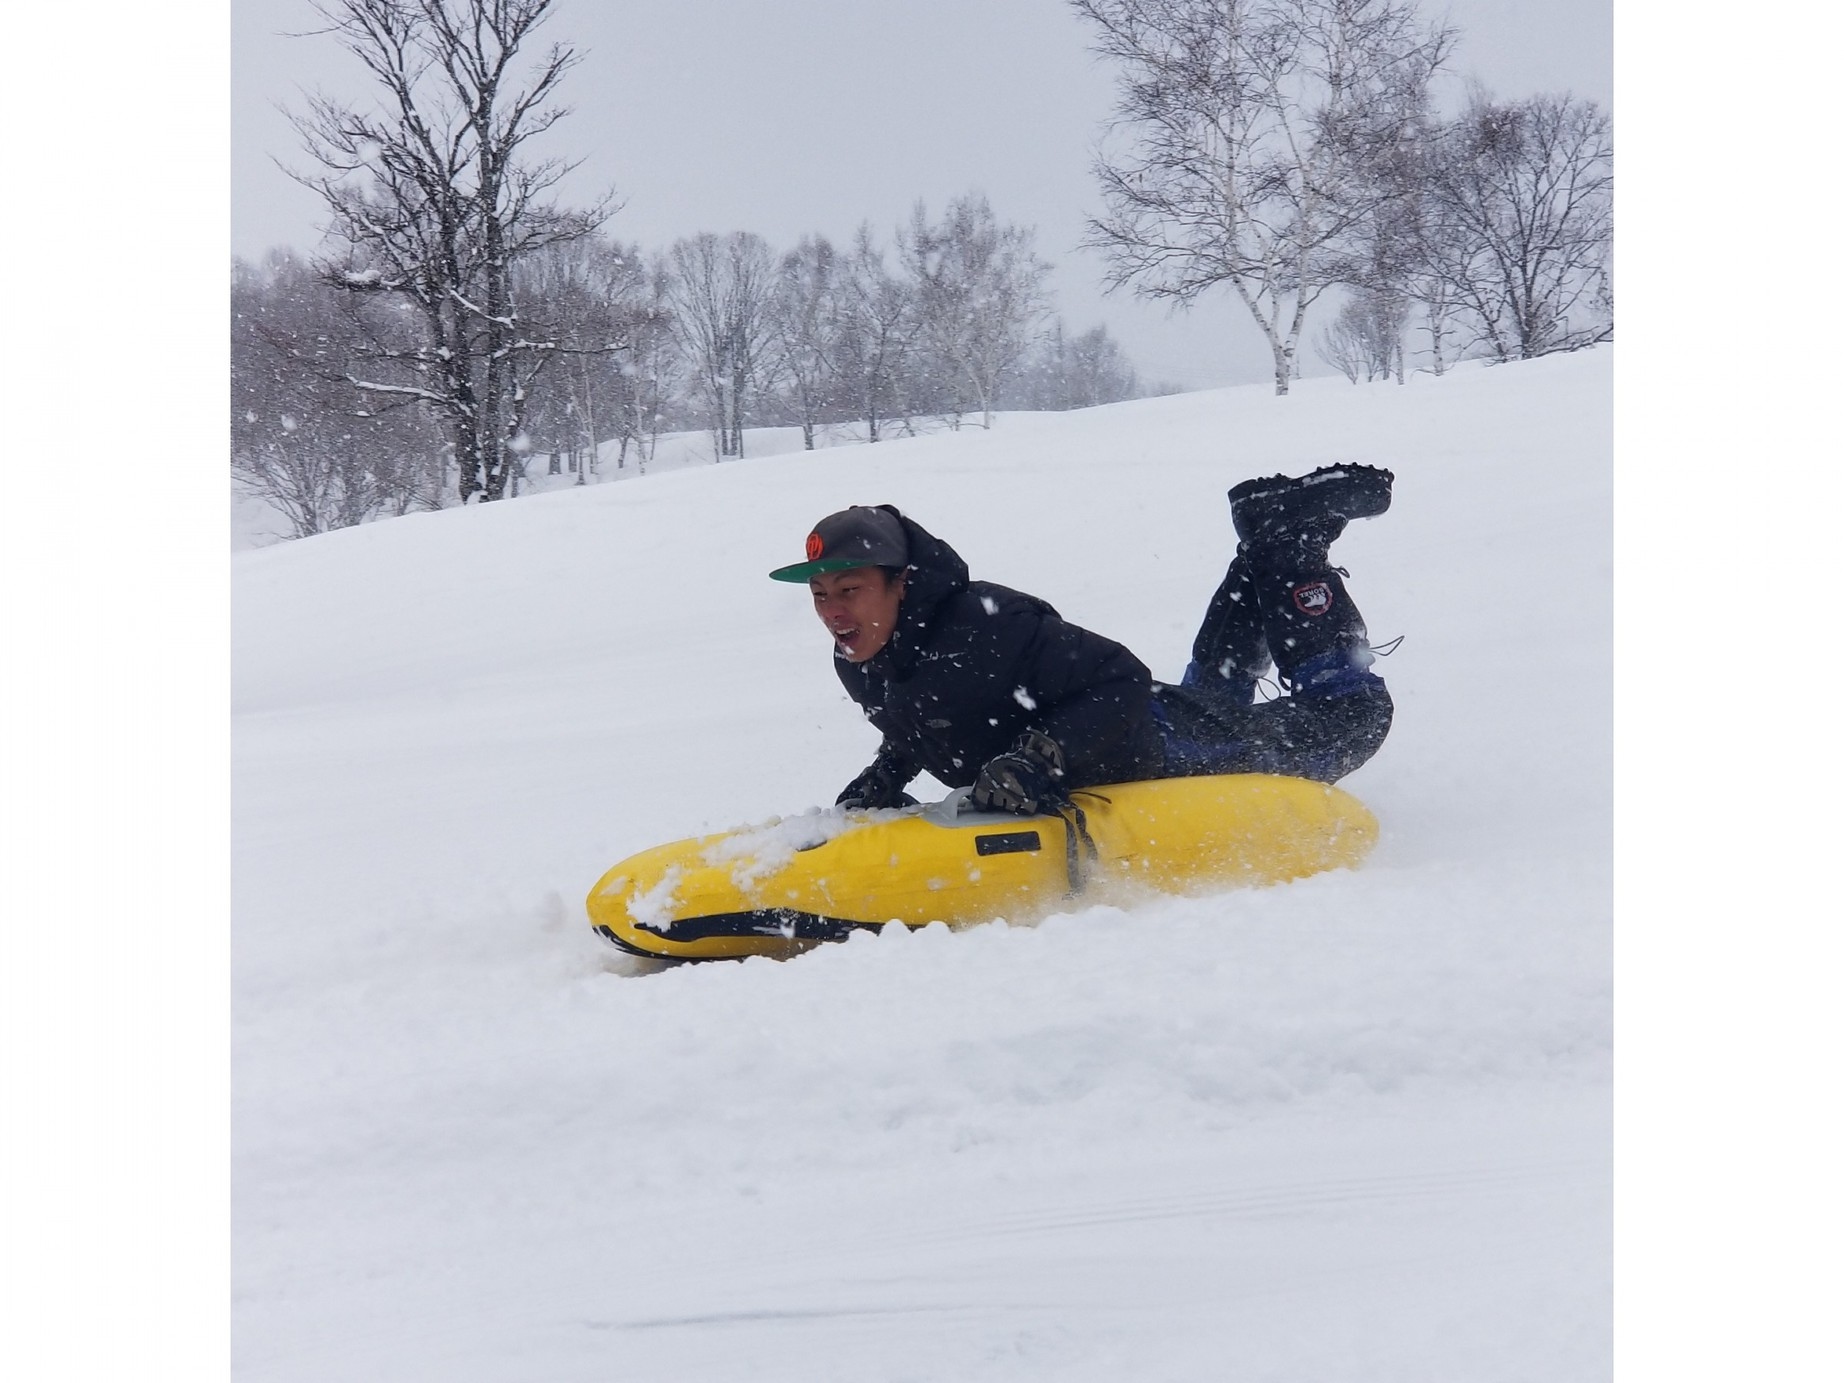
{"x": 1255, "y": 132}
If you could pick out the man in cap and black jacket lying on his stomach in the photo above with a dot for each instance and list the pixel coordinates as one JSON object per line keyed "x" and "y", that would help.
{"x": 989, "y": 689}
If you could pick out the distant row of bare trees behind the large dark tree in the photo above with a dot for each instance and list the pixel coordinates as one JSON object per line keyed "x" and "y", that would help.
{"x": 951, "y": 322}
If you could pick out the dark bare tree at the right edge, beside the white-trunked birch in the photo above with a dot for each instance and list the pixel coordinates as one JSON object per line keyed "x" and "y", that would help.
{"x": 1520, "y": 226}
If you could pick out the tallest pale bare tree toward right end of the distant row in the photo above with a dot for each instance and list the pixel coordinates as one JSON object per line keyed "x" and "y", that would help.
{"x": 980, "y": 298}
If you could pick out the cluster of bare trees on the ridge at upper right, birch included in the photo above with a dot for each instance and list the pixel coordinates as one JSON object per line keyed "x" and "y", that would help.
{"x": 1283, "y": 150}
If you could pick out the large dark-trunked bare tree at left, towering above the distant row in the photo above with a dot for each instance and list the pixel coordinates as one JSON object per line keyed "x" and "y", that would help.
{"x": 434, "y": 202}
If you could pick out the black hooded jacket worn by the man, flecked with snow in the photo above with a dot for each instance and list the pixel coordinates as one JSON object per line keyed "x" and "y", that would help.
{"x": 971, "y": 667}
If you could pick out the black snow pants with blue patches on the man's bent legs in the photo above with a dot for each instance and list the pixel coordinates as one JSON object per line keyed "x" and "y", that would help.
{"x": 1281, "y": 606}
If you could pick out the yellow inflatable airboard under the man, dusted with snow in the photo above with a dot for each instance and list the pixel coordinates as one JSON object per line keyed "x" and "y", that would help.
{"x": 783, "y": 888}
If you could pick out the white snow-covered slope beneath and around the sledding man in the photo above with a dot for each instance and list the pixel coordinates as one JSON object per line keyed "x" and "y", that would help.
{"x": 1358, "y": 1128}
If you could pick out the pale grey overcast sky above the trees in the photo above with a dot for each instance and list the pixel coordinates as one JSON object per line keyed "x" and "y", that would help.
{"x": 816, "y": 115}
